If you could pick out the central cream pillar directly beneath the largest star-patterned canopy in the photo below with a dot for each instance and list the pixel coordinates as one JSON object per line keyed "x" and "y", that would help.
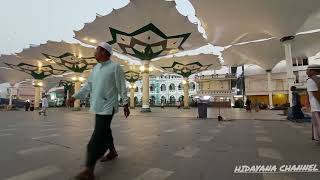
{"x": 145, "y": 87}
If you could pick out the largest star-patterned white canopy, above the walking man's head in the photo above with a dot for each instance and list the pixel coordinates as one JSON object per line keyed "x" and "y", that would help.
{"x": 144, "y": 29}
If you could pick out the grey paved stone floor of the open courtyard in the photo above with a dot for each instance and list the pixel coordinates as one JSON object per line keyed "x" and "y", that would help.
{"x": 165, "y": 144}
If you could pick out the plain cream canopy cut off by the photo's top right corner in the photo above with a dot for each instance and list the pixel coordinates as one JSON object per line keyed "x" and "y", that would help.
{"x": 229, "y": 22}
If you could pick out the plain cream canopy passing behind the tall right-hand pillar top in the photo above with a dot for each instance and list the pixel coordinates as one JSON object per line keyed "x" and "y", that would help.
{"x": 268, "y": 53}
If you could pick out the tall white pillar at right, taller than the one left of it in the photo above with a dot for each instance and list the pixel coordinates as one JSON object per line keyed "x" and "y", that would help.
{"x": 290, "y": 76}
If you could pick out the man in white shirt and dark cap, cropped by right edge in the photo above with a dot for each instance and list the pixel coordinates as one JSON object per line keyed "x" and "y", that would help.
{"x": 313, "y": 87}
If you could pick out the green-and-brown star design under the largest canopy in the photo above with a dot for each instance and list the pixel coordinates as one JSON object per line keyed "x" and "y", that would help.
{"x": 147, "y": 42}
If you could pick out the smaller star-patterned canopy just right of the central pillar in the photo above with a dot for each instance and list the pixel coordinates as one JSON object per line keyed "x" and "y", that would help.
{"x": 188, "y": 65}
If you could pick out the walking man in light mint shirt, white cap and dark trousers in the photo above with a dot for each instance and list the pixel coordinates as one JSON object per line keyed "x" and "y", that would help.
{"x": 104, "y": 84}
